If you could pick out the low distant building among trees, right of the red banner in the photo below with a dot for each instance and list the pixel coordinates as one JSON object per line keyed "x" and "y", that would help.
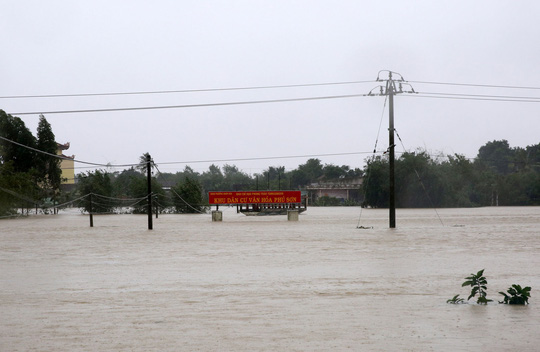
{"x": 343, "y": 189}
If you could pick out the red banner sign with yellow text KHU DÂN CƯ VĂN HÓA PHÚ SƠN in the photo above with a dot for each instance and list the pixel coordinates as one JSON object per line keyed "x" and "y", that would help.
{"x": 255, "y": 197}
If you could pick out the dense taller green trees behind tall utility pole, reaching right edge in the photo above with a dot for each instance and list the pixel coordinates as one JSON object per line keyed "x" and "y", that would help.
{"x": 499, "y": 175}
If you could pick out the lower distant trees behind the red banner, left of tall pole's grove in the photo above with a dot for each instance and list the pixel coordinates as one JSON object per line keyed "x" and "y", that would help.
{"x": 187, "y": 191}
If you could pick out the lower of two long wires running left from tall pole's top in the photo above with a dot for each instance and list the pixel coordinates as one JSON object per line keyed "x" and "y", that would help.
{"x": 189, "y": 105}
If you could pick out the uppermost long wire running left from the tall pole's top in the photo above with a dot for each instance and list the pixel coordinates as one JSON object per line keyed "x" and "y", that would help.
{"x": 181, "y": 91}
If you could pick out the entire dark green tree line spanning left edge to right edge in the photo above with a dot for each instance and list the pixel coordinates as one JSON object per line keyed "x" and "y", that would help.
{"x": 499, "y": 175}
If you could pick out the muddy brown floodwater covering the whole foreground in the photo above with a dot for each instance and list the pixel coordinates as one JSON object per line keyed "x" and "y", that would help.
{"x": 268, "y": 284}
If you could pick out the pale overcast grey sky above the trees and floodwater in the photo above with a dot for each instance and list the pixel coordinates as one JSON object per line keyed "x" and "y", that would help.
{"x": 72, "y": 47}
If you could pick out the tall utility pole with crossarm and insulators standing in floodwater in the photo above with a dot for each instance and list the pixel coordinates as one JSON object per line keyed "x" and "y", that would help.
{"x": 390, "y": 90}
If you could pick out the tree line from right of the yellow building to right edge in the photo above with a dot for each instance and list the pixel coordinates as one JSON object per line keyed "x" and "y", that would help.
{"x": 499, "y": 175}
